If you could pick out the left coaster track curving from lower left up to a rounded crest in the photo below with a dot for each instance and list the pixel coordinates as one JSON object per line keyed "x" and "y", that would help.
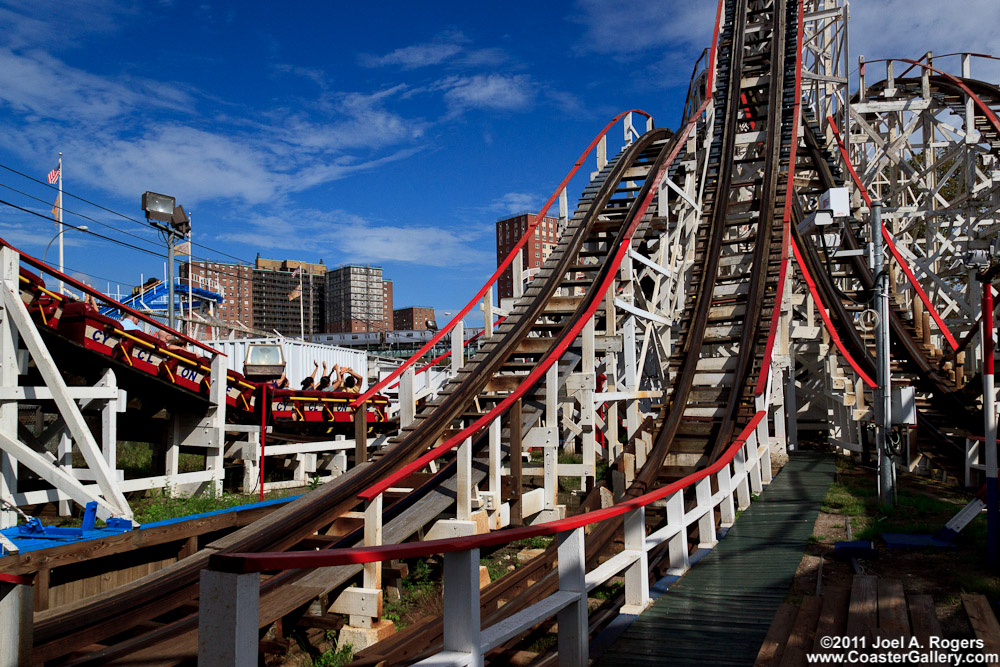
{"x": 535, "y": 326}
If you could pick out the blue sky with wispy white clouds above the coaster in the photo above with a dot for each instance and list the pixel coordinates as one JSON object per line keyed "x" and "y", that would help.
{"x": 334, "y": 131}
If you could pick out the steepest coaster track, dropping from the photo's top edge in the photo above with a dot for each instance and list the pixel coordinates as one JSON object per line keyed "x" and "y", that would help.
{"x": 726, "y": 325}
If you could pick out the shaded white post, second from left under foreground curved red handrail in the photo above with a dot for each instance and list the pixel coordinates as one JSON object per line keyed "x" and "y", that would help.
{"x": 461, "y": 605}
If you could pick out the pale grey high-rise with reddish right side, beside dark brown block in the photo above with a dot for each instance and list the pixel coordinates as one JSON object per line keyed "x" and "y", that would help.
{"x": 358, "y": 299}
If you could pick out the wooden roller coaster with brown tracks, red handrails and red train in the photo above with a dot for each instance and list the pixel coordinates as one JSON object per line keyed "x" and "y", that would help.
{"x": 696, "y": 377}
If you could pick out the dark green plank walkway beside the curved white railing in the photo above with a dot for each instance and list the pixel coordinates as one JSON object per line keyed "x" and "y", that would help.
{"x": 719, "y": 612}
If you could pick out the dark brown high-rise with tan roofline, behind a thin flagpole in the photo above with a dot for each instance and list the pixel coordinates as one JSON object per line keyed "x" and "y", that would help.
{"x": 278, "y": 303}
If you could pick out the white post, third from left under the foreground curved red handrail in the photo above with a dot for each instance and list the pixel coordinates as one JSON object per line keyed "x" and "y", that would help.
{"x": 572, "y": 619}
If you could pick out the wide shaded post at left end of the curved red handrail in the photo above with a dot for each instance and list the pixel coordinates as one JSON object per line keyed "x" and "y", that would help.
{"x": 227, "y": 624}
